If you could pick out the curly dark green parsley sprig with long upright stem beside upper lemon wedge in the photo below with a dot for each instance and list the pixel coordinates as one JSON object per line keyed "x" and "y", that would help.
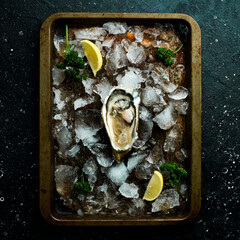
{"x": 72, "y": 63}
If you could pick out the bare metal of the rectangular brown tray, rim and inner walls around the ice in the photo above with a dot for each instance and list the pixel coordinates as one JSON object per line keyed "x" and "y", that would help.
{"x": 193, "y": 120}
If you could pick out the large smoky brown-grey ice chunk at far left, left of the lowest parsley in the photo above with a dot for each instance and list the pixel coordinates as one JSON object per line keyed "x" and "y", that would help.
{"x": 65, "y": 177}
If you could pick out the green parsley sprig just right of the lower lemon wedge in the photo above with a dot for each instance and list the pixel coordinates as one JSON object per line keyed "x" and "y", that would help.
{"x": 175, "y": 173}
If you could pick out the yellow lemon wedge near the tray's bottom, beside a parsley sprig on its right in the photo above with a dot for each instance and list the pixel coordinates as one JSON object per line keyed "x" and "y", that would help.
{"x": 154, "y": 187}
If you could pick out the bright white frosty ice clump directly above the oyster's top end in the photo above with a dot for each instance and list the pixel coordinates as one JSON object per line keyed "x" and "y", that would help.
{"x": 132, "y": 77}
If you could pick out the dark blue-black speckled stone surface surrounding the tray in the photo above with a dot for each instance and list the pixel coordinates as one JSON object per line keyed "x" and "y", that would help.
{"x": 20, "y": 23}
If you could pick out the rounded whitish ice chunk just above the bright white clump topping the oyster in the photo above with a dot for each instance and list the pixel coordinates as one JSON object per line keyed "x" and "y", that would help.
{"x": 136, "y": 54}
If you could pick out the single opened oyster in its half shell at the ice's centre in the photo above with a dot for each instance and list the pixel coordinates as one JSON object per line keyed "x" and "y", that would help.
{"x": 120, "y": 114}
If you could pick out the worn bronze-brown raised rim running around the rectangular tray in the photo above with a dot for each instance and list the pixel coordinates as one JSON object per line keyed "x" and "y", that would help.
{"x": 45, "y": 144}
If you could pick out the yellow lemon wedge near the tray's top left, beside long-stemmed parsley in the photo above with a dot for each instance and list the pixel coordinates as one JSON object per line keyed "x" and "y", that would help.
{"x": 93, "y": 55}
